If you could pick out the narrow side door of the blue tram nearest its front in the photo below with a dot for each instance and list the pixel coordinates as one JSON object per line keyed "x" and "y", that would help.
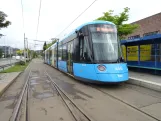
{"x": 70, "y": 60}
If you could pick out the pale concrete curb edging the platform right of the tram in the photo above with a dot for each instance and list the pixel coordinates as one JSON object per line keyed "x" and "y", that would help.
{"x": 144, "y": 83}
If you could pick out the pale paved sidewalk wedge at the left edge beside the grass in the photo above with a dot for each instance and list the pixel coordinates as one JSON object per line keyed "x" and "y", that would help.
{"x": 6, "y": 80}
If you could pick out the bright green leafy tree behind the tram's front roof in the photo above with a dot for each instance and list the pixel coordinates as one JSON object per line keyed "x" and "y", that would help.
{"x": 118, "y": 20}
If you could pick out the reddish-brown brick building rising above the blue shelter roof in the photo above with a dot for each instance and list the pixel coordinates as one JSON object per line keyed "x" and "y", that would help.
{"x": 147, "y": 26}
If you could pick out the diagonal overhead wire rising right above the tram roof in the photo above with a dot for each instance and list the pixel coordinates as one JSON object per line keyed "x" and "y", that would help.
{"x": 77, "y": 17}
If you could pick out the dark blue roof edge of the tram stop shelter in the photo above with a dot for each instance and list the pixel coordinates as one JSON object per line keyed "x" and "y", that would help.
{"x": 144, "y": 40}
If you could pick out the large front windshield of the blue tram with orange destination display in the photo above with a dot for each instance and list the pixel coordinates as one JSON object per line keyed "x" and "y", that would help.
{"x": 105, "y": 44}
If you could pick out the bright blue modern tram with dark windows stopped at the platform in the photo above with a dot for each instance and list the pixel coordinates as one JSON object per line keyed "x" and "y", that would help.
{"x": 92, "y": 53}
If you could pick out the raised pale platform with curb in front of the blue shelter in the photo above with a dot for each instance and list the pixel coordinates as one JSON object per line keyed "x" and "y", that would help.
{"x": 146, "y": 80}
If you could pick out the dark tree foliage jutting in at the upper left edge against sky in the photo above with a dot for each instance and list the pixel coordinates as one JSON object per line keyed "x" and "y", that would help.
{"x": 3, "y": 22}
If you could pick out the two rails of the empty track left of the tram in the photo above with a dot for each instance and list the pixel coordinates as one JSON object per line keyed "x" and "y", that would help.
{"x": 22, "y": 107}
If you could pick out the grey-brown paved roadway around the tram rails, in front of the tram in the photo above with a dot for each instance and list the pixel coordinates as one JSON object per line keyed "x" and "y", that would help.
{"x": 122, "y": 102}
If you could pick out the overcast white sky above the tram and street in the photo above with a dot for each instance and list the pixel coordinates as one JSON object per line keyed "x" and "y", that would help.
{"x": 55, "y": 15}
